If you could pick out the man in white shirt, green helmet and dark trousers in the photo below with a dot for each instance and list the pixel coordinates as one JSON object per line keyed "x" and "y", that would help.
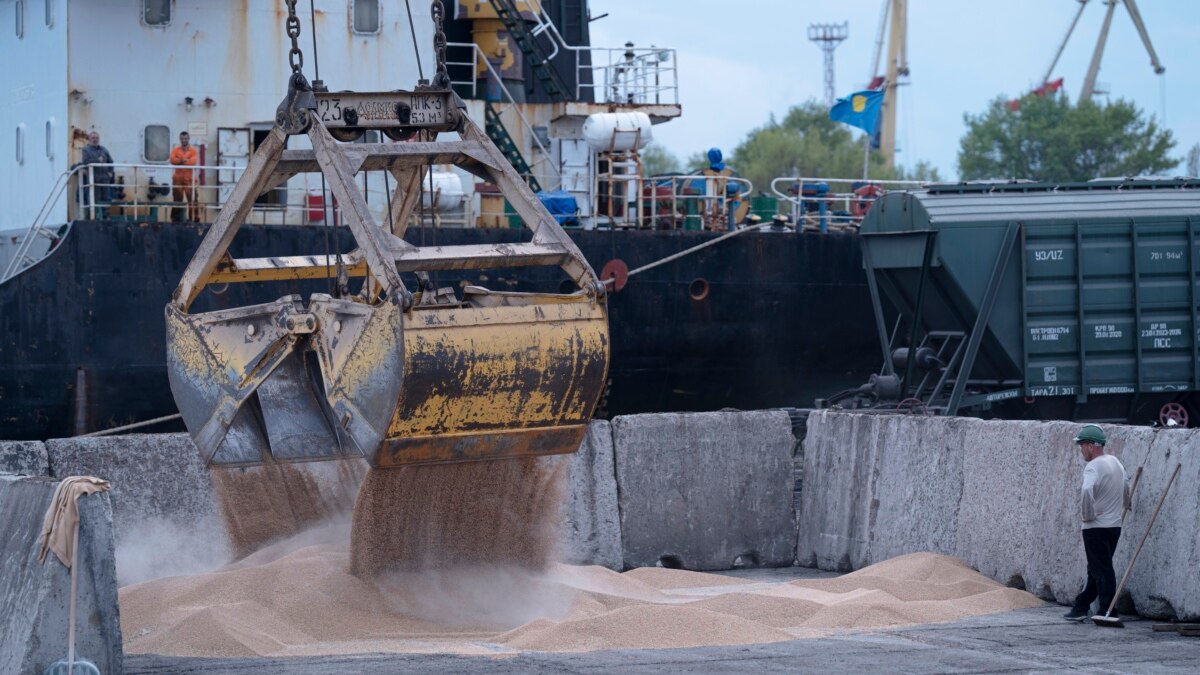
{"x": 1103, "y": 498}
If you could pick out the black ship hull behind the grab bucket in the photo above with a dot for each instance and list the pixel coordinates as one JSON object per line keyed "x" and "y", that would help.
{"x": 764, "y": 320}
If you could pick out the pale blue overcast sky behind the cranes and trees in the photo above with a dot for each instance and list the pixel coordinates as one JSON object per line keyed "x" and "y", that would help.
{"x": 740, "y": 62}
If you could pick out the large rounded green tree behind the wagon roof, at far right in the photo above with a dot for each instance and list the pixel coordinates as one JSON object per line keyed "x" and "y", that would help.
{"x": 1049, "y": 139}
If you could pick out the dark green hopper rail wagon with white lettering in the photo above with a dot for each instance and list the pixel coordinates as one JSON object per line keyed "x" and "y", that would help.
{"x": 1036, "y": 301}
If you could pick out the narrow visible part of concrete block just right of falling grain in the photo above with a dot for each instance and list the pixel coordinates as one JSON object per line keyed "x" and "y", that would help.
{"x": 591, "y": 518}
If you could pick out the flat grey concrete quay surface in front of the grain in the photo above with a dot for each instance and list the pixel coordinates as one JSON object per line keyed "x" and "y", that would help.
{"x": 1033, "y": 641}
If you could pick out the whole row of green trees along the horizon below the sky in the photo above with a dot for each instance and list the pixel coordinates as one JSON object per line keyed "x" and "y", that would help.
{"x": 1045, "y": 139}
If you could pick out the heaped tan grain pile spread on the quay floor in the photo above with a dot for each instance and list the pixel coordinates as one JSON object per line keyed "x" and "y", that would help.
{"x": 298, "y": 598}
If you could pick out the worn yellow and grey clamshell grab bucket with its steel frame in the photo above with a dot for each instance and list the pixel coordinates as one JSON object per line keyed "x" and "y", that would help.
{"x": 386, "y": 374}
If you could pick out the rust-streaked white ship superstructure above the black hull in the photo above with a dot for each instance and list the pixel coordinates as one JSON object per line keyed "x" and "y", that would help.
{"x": 140, "y": 73}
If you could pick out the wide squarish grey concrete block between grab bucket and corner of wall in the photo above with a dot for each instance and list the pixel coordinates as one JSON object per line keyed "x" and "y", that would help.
{"x": 703, "y": 491}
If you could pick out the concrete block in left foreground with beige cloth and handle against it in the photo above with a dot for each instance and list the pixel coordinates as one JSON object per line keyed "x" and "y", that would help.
{"x": 35, "y": 596}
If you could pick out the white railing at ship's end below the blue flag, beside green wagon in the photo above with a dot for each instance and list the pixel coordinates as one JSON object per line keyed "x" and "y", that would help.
{"x": 832, "y": 204}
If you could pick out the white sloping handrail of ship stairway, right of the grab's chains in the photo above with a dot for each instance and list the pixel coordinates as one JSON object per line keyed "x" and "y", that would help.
{"x": 543, "y": 168}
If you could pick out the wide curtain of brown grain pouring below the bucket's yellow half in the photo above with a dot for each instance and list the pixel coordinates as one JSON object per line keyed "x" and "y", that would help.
{"x": 501, "y": 513}
